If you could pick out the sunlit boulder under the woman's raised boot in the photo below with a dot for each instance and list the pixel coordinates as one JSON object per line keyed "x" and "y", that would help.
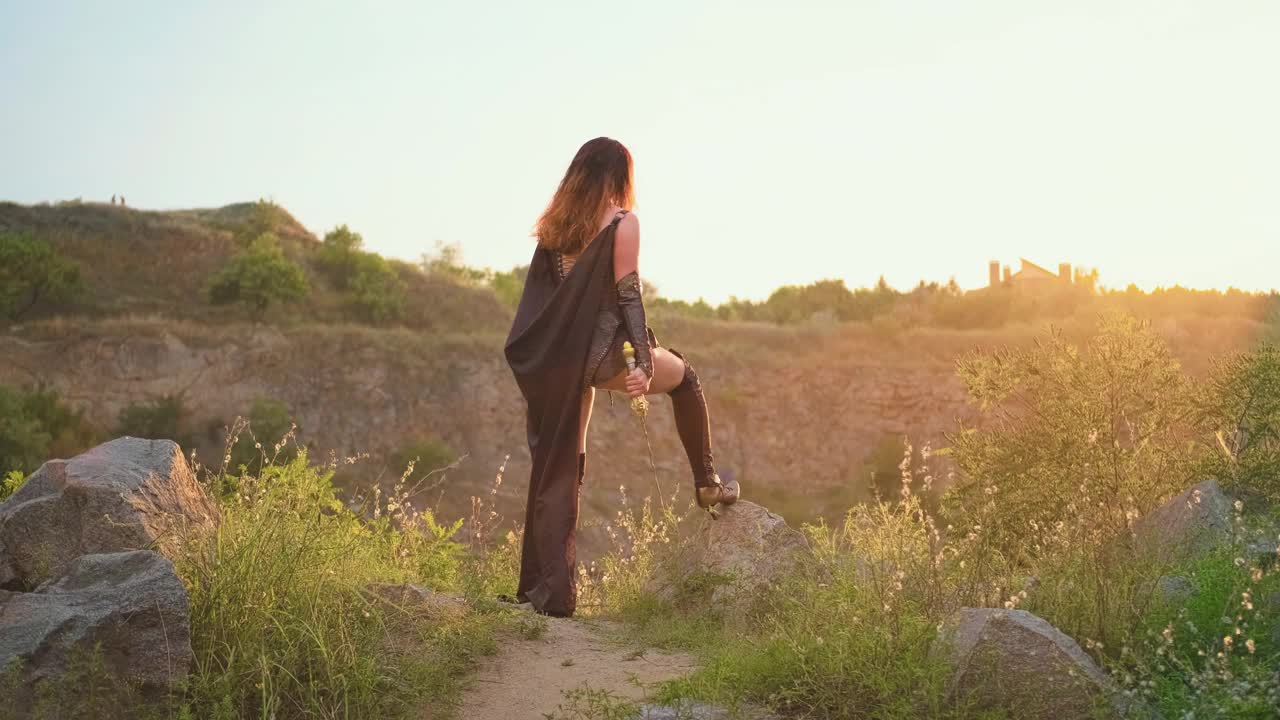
{"x": 728, "y": 560}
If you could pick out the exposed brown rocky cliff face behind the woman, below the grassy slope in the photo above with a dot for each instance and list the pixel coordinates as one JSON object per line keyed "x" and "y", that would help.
{"x": 804, "y": 420}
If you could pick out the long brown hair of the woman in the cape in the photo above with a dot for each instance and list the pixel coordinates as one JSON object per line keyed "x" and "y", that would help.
{"x": 600, "y": 176}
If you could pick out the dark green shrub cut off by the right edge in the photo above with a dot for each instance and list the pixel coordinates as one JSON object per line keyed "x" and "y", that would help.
{"x": 1242, "y": 420}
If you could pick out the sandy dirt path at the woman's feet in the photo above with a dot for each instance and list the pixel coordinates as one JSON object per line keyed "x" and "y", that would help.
{"x": 527, "y": 678}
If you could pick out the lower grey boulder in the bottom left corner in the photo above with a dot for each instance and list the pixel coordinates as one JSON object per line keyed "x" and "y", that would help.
{"x": 130, "y": 605}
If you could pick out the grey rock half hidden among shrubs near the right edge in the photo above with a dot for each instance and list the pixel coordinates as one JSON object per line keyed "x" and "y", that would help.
{"x": 1190, "y": 526}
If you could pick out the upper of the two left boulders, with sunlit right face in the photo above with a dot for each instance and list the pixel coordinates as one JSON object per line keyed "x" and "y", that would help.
{"x": 129, "y": 494}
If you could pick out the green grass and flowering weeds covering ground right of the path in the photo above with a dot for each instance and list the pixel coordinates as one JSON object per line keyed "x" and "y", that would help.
{"x": 854, "y": 634}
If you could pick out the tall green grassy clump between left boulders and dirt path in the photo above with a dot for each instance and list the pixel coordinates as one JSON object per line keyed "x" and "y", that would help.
{"x": 285, "y": 613}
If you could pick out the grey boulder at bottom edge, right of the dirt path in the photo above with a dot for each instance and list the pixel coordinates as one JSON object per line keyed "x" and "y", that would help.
{"x": 1013, "y": 662}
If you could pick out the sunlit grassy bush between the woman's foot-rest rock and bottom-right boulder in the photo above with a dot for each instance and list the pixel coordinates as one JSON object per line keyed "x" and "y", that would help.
{"x": 851, "y": 634}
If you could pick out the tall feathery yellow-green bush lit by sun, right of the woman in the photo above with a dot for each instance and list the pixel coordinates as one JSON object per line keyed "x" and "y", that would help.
{"x": 1087, "y": 436}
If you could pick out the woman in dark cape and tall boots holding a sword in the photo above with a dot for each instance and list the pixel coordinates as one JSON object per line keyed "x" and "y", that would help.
{"x": 582, "y": 302}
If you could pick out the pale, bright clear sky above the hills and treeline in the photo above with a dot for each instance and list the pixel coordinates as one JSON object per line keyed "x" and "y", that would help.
{"x": 775, "y": 143}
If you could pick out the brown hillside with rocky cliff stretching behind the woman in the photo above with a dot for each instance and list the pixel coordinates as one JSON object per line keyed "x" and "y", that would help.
{"x": 801, "y": 413}
